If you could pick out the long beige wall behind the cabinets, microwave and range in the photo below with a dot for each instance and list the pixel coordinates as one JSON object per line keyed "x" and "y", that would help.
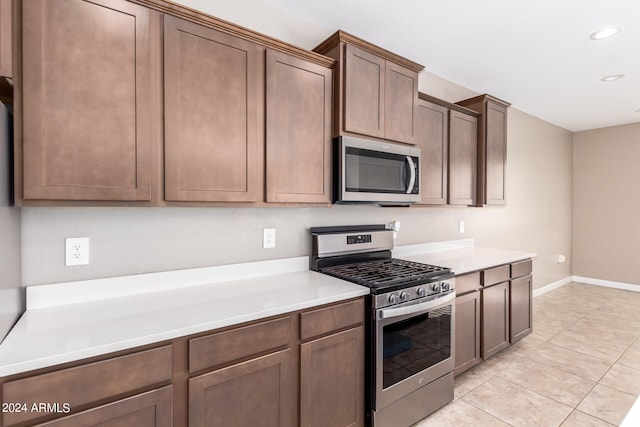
{"x": 537, "y": 216}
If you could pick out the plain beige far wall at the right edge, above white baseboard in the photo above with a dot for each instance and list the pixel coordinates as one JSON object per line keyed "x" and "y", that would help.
{"x": 606, "y": 198}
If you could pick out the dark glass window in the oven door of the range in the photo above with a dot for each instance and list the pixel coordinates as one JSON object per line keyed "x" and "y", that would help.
{"x": 415, "y": 344}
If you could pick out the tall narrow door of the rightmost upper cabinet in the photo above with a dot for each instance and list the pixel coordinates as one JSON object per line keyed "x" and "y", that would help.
{"x": 496, "y": 155}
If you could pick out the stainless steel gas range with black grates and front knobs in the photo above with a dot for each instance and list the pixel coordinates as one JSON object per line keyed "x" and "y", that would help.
{"x": 410, "y": 321}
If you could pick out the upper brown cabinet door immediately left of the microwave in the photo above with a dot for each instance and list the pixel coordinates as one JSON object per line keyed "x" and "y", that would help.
{"x": 298, "y": 130}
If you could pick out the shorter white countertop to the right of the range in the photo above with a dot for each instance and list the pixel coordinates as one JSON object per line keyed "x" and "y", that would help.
{"x": 461, "y": 256}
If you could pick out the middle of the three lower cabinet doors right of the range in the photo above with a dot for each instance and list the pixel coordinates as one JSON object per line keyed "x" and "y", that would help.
{"x": 495, "y": 319}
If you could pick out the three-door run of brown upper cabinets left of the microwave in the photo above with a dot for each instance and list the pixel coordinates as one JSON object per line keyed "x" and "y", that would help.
{"x": 122, "y": 104}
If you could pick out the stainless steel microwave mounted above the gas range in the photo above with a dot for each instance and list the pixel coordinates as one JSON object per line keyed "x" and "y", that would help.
{"x": 369, "y": 171}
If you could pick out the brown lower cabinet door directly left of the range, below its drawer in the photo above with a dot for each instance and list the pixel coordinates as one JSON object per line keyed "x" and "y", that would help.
{"x": 332, "y": 380}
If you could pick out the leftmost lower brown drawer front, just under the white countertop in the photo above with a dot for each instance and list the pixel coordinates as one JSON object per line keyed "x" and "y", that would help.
{"x": 85, "y": 384}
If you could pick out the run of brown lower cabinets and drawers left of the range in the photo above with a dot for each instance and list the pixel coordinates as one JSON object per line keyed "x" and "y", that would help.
{"x": 300, "y": 368}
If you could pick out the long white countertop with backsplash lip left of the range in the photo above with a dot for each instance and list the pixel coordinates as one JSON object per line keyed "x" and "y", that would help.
{"x": 54, "y": 334}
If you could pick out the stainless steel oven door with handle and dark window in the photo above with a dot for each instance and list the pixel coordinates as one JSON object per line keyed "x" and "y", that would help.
{"x": 413, "y": 345}
